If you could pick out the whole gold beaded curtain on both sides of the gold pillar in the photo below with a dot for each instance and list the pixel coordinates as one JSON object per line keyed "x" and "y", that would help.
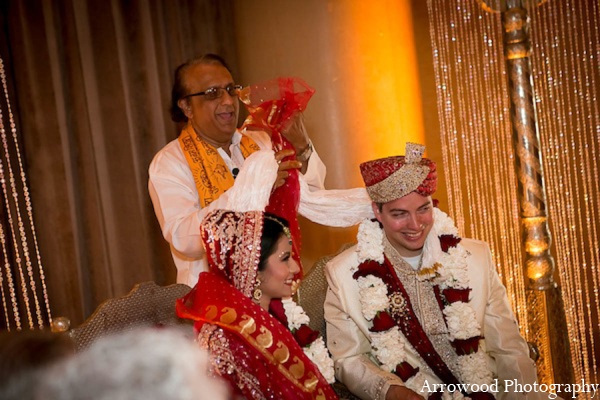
{"x": 473, "y": 108}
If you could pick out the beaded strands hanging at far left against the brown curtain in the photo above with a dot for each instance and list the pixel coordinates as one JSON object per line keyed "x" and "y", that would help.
{"x": 21, "y": 270}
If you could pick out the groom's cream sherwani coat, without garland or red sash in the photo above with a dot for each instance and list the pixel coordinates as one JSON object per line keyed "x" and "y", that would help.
{"x": 507, "y": 352}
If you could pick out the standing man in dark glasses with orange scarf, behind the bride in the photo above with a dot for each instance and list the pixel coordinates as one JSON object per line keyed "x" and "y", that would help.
{"x": 191, "y": 175}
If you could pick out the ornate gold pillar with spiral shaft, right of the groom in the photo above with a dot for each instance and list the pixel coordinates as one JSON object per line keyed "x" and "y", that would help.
{"x": 544, "y": 301}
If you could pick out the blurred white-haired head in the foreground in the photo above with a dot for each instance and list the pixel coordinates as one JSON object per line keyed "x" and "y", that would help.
{"x": 145, "y": 363}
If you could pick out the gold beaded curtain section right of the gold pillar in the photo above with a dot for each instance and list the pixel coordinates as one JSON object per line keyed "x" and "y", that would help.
{"x": 566, "y": 74}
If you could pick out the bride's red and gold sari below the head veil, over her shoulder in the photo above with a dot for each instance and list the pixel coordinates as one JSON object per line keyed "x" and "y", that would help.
{"x": 261, "y": 359}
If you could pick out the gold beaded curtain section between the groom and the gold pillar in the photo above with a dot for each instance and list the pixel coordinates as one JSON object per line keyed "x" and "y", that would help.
{"x": 475, "y": 131}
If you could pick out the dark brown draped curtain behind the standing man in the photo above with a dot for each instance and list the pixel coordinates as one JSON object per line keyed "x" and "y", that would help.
{"x": 92, "y": 82}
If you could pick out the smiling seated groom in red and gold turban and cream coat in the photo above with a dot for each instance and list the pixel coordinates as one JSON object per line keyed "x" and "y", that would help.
{"x": 412, "y": 310}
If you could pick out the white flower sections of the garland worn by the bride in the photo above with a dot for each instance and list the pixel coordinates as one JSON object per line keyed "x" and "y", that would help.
{"x": 316, "y": 351}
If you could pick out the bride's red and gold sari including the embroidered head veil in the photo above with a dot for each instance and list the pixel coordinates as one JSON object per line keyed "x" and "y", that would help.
{"x": 251, "y": 349}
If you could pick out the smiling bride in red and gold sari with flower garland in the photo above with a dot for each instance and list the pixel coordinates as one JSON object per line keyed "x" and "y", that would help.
{"x": 260, "y": 346}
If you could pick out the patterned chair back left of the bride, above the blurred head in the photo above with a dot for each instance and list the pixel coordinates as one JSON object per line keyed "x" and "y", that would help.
{"x": 147, "y": 304}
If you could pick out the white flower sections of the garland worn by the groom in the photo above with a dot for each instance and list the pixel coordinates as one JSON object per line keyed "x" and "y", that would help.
{"x": 448, "y": 271}
